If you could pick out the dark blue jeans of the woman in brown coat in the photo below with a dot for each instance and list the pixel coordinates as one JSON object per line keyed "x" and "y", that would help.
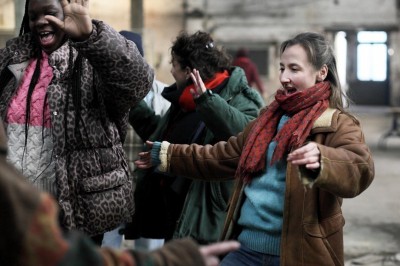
{"x": 247, "y": 257}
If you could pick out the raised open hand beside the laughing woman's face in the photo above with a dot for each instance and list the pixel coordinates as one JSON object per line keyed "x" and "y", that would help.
{"x": 77, "y": 23}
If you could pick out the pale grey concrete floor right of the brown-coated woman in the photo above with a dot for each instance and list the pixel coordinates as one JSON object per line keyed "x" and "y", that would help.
{"x": 372, "y": 230}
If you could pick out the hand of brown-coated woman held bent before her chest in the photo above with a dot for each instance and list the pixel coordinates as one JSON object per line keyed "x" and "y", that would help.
{"x": 308, "y": 155}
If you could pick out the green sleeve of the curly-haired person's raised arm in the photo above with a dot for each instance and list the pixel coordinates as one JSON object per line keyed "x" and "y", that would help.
{"x": 226, "y": 118}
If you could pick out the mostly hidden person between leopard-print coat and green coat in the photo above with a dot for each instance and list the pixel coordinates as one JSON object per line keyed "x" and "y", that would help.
{"x": 132, "y": 145}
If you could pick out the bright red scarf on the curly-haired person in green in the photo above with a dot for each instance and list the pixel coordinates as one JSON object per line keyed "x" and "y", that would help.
{"x": 186, "y": 99}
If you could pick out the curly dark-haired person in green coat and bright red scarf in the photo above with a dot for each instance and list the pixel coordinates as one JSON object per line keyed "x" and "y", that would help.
{"x": 171, "y": 206}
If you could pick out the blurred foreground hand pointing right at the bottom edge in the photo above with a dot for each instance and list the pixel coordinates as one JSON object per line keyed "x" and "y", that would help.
{"x": 211, "y": 252}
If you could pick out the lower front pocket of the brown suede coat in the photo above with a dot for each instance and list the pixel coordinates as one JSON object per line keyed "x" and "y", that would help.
{"x": 324, "y": 241}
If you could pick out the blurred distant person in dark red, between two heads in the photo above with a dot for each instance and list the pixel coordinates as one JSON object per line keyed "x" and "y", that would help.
{"x": 250, "y": 69}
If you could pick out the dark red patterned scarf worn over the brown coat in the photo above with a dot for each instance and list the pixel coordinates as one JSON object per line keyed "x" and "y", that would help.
{"x": 304, "y": 107}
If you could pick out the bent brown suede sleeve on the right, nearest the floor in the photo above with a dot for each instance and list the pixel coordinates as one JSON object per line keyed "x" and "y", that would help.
{"x": 347, "y": 167}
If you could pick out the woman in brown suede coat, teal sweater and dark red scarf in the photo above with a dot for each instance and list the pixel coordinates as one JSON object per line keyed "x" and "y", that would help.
{"x": 294, "y": 165}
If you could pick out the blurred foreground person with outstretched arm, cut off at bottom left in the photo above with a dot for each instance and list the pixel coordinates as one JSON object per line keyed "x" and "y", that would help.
{"x": 31, "y": 236}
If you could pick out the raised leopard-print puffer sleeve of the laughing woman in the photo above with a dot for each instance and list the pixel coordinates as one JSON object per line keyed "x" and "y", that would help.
{"x": 125, "y": 75}
